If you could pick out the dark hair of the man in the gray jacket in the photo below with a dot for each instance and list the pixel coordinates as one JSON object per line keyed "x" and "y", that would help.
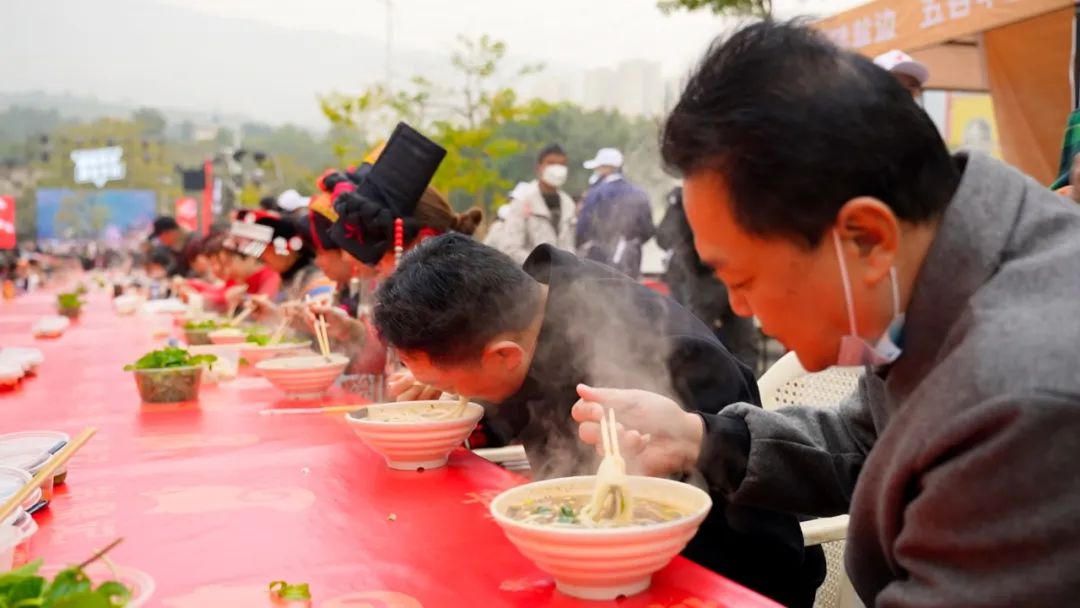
{"x": 798, "y": 127}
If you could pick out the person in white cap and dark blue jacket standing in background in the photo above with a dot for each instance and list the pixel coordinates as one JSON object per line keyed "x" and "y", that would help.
{"x": 616, "y": 219}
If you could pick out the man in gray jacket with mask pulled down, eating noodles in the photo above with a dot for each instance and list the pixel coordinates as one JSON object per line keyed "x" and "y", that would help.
{"x": 826, "y": 200}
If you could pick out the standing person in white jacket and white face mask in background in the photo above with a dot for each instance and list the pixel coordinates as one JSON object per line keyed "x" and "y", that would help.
{"x": 539, "y": 211}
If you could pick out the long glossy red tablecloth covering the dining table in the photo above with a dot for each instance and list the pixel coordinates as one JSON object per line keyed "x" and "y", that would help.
{"x": 215, "y": 502}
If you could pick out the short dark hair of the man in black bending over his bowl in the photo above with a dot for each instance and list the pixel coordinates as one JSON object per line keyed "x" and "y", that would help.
{"x": 451, "y": 296}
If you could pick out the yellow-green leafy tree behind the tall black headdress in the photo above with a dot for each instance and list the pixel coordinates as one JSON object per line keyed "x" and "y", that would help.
{"x": 468, "y": 120}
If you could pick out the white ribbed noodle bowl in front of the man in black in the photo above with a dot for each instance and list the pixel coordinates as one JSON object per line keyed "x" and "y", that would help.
{"x": 415, "y": 435}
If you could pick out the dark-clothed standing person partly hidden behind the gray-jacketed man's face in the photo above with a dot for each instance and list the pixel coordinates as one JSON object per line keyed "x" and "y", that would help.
{"x": 694, "y": 286}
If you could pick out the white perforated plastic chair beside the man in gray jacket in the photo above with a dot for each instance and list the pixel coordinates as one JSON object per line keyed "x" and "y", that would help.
{"x": 788, "y": 384}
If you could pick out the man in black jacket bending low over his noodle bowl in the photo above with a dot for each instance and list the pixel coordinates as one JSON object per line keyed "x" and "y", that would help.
{"x": 467, "y": 320}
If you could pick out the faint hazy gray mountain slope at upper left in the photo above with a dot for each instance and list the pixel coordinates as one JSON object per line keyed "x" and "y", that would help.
{"x": 168, "y": 57}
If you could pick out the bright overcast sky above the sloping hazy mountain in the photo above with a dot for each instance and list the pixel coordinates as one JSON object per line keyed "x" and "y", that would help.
{"x": 585, "y": 33}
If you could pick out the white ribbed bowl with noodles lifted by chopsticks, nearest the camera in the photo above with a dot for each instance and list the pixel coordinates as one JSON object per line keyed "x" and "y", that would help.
{"x": 602, "y": 563}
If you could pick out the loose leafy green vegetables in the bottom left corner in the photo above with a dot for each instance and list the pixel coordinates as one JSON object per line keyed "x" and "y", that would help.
{"x": 24, "y": 588}
